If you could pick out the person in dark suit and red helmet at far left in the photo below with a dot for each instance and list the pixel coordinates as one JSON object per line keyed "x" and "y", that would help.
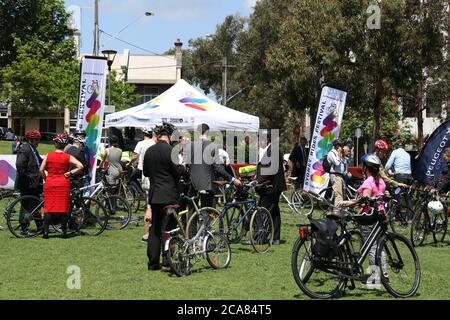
{"x": 28, "y": 180}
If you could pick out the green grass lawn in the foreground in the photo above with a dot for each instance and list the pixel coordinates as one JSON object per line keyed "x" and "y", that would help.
{"x": 114, "y": 266}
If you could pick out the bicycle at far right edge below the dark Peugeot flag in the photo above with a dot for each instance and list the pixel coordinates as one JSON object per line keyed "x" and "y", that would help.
{"x": 425, "y": 223}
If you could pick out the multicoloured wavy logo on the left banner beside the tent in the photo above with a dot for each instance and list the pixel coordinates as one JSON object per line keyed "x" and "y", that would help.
{"x": 92, "y": 131}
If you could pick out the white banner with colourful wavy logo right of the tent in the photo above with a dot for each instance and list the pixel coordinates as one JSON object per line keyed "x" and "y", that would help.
{"x": 326, "y": 128}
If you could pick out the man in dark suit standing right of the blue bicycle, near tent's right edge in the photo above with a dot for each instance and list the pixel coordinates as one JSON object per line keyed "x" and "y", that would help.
{"x": 270, "y": 172}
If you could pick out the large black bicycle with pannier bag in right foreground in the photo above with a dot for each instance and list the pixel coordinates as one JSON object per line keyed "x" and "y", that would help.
{"x": 397, "y": 263}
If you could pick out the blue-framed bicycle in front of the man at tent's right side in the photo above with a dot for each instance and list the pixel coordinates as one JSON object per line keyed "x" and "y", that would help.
{"x": 256, "y": 219}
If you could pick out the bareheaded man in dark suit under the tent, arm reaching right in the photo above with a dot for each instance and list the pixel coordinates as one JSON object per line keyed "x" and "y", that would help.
{"x": 205, "y": 167}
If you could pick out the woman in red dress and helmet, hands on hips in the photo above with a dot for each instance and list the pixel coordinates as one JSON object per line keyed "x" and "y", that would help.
{"x": 57, "y": 183}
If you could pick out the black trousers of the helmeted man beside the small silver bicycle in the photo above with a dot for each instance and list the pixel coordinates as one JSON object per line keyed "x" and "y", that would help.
{"x": 163, "y": 220}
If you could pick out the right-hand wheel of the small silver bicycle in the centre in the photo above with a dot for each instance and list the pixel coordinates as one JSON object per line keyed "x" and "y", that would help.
{"x": 218, "y": 252}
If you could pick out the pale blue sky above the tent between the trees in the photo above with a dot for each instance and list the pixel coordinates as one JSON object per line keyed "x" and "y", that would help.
{"x": 172, "y": 19}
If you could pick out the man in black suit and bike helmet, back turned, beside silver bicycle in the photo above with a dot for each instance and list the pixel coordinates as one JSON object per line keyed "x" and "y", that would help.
{"x": 163, "y": 194}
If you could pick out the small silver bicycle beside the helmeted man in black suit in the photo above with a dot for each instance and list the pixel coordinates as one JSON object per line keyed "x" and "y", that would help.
{"x": 184, "y": 246}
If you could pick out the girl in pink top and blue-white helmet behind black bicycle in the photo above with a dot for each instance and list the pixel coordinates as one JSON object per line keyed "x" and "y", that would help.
{"x": 372, "y": 187}
